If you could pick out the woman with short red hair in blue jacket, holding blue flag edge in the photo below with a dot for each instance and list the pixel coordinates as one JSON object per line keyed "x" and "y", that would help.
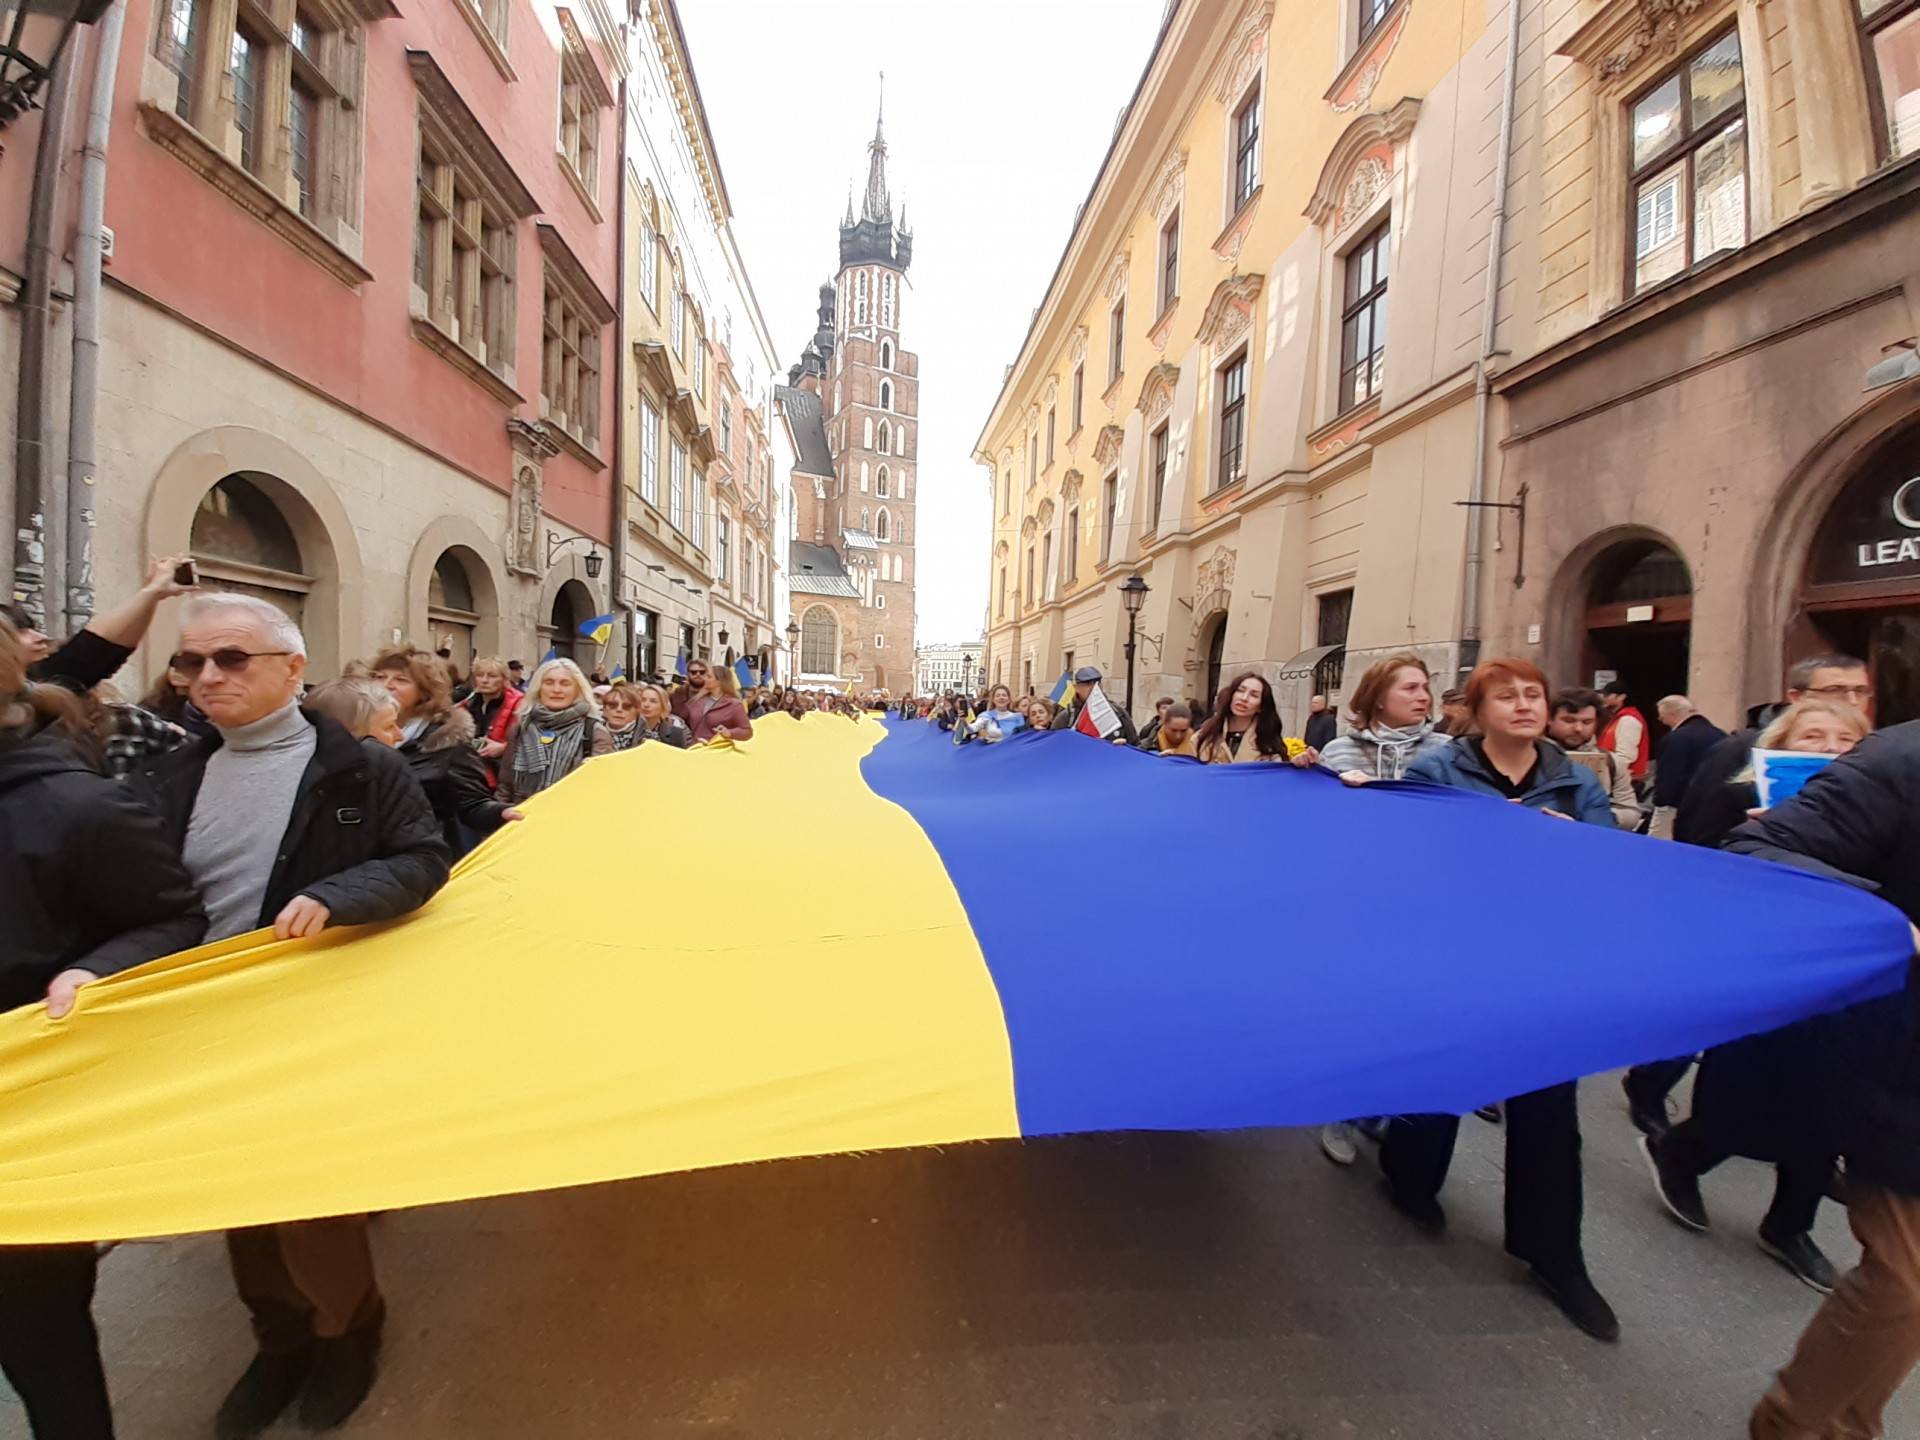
{"x": 1508, "y": 757}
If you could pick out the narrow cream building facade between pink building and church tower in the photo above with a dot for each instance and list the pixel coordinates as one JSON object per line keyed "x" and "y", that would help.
{"x": 702, "y": 492}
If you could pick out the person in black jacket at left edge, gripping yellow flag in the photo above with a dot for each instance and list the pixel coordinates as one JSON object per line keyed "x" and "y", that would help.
{"x": 89, "y": 886}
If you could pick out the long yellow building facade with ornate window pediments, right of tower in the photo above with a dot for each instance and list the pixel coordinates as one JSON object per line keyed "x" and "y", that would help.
{"x": 1257, "y": 377}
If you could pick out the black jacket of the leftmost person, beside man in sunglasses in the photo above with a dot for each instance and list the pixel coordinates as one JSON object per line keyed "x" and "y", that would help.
{"x": 87, "y": 876}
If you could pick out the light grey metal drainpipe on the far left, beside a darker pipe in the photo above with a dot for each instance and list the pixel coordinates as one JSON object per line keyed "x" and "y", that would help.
{"x": 87, "y": 258}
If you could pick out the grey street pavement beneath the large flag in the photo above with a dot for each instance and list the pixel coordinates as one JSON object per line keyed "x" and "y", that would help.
{"x": 1228, "y": 1287}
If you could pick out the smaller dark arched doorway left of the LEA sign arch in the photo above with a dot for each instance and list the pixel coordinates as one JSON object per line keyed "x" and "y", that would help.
{"x": 1639, "y": 621}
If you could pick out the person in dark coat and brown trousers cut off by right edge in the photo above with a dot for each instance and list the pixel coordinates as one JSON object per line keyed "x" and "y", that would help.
{"x": 1858, "y": 1086}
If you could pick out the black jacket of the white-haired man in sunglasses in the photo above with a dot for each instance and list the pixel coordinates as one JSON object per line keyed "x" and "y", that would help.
{"x": 362, "y": 838}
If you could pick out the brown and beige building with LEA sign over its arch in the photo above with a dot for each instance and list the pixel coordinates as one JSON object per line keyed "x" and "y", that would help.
{"x": 1717, "y": 441}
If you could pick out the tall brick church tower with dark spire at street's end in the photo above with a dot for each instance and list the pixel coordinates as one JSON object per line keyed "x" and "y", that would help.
{"x": 855, "y": 531}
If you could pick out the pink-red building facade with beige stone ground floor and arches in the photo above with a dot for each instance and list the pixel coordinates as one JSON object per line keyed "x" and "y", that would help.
{"x": 356, "y": 333}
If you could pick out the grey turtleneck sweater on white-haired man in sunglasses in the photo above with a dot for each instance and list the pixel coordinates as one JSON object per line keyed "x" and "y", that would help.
{"x": 241, "y": 815}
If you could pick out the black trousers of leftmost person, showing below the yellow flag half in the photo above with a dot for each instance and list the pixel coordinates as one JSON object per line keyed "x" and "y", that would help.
{"x": 49, "y": 1347}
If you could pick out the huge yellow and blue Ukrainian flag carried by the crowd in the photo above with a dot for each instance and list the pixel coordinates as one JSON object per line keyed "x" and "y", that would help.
{"x": 876, "y": 961}
